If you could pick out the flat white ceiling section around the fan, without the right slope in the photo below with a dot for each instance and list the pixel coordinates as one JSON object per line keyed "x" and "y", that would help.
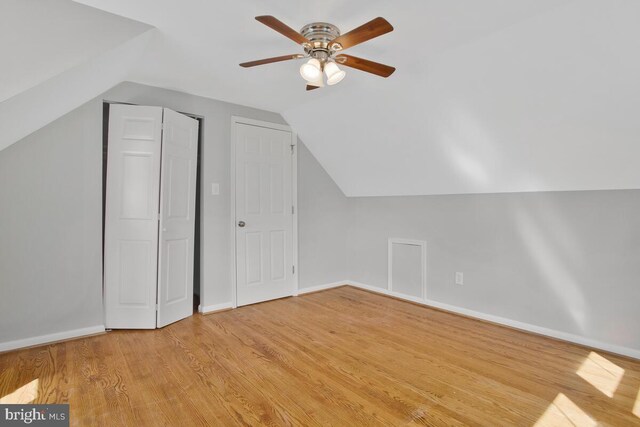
{"x": 202, "y": 42}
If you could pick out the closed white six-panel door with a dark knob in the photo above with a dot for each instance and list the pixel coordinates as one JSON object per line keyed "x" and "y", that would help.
{"x": 264, "y": 214}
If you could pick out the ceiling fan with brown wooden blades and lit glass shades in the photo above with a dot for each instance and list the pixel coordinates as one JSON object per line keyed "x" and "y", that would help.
{"x": 323, "y": 44}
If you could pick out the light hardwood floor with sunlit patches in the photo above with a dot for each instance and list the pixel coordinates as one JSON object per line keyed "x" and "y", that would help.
{"x": 341, "y": 357}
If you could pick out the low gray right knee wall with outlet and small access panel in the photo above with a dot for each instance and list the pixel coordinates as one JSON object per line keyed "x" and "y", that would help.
{"x": 568, "y": 261}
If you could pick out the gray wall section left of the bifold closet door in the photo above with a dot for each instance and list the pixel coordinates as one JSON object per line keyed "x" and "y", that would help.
{"x": 51, "y": 228}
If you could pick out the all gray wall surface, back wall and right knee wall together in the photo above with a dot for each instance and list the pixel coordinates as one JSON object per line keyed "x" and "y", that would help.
{"x": 568, "y": 261}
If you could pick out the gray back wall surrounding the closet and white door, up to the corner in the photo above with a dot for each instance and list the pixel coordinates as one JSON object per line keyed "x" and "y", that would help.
{"x": 50, "y": 215}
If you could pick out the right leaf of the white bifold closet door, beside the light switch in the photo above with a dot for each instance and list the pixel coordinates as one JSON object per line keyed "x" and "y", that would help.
{"x": 177, "y": 217}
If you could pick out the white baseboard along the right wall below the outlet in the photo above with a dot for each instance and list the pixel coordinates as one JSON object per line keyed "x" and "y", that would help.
{"x": 564, "y": 336}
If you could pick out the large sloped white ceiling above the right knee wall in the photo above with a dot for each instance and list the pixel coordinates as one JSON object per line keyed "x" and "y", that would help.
{"x": 550, "y": 103}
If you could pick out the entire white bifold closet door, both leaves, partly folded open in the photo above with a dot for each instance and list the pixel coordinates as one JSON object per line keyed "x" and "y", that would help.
{"x": 149, "y": 217}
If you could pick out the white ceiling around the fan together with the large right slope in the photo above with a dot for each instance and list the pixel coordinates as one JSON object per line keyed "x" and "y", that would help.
{"x": 489, "y": 96}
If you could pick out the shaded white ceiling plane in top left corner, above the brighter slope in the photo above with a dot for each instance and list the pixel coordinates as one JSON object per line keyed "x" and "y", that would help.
{"x": 41, "y": 39}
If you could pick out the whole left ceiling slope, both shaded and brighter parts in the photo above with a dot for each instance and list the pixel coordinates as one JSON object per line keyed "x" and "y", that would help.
{"x": 57, "y": 55}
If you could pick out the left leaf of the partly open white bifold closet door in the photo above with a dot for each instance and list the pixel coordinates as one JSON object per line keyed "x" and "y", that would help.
{"x": 131, "y": 216}
